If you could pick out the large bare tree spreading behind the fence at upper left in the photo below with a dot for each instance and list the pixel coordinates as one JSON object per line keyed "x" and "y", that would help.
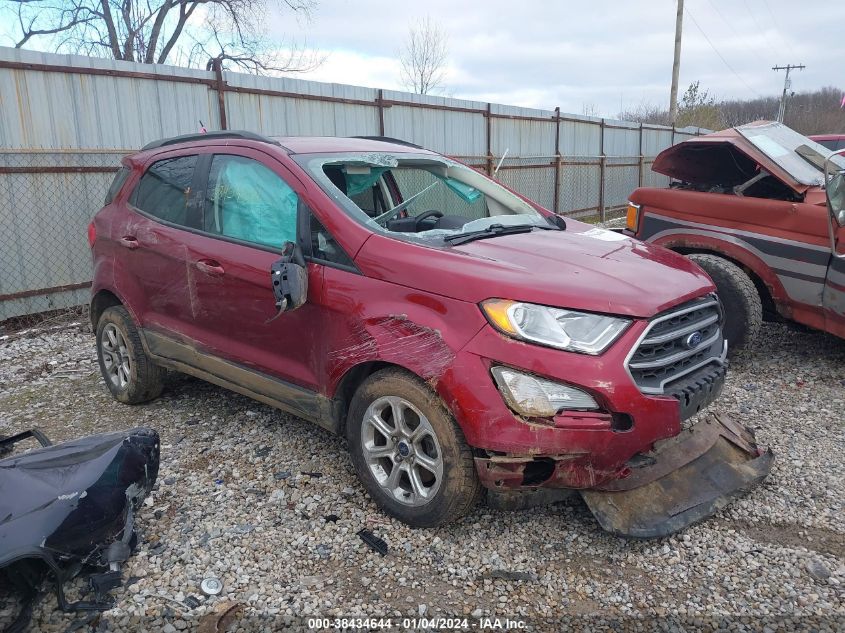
{"x": 231, "y": 32}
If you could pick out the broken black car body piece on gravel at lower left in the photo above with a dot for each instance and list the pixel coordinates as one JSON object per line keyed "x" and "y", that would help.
{"x": 70, "y": 507}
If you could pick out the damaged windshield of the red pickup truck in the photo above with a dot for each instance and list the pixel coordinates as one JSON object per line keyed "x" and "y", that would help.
{"x": 800, "y": 157}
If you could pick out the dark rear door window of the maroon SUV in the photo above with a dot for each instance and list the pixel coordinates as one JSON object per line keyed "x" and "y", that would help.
{"x": 164, "y": 189}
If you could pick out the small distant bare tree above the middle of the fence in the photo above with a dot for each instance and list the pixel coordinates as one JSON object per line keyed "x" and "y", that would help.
{"x": 424, "y": 56}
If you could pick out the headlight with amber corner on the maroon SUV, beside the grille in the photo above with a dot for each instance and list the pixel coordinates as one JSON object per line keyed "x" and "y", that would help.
{"x": 565, "y": 329}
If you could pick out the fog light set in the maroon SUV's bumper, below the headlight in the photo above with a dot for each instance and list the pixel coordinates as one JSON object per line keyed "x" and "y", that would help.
{"x": 536, "y": 397}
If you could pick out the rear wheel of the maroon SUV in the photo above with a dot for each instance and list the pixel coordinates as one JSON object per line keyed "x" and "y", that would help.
{"x": 129, "y": 374}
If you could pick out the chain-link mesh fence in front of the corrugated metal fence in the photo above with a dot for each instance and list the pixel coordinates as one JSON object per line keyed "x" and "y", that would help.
{"x": 48, "y": 197}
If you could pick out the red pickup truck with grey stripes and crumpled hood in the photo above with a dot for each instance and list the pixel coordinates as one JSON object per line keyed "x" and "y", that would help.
{"x": 748, "y": 205}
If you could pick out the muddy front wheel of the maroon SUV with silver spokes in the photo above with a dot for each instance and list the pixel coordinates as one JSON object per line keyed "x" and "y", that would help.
{"x": 440, "y": 495}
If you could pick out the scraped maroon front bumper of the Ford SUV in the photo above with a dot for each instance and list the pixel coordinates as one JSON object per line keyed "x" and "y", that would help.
{"x": 575, "y": 449}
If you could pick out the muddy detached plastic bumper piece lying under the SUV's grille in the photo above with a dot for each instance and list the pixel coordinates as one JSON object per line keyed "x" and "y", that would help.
{"x": 684, "y": 480}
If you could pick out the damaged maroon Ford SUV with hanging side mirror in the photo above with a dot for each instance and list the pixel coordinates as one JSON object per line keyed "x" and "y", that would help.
{"x": 460, "y": 336}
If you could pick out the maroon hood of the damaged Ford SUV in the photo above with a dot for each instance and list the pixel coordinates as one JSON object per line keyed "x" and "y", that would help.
{"x": 583, "y": 268}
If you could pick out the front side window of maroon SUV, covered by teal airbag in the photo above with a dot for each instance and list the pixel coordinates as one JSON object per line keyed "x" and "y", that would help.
{"x": 248, "y": 201}
